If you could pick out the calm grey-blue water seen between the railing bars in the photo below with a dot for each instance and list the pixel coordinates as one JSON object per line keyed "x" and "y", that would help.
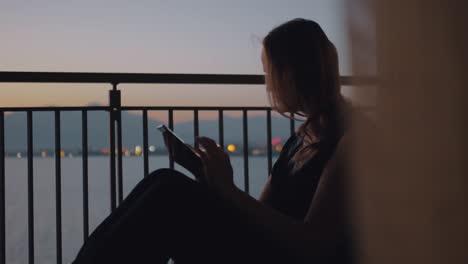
{"x": 16, "y": 199}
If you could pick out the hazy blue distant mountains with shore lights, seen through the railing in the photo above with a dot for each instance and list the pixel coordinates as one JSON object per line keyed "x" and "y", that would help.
{"x": 98, "y": 132}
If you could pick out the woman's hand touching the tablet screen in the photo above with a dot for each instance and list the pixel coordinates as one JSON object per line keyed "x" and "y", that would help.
{"x": 218, "y": 173}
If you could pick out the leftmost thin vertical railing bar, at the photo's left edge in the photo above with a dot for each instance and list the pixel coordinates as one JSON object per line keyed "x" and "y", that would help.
{"x": 2, "y": 190}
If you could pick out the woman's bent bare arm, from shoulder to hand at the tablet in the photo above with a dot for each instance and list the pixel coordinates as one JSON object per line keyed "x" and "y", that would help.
{"x": 312, "y": 239}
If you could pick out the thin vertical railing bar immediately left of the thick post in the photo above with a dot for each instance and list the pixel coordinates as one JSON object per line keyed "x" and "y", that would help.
{"x": 84, "y": 142}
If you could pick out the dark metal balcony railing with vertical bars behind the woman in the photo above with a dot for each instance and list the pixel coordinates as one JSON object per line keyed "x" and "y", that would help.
{"x": 115, "y": 135}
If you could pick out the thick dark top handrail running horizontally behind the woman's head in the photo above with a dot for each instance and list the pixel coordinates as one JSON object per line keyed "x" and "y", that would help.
{"x": 149, "y": 78}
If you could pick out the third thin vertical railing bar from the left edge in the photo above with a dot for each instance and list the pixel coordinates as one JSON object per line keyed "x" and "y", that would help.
{"x": 58, "y": 188}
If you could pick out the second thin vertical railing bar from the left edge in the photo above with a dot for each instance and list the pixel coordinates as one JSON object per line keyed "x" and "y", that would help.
{"x": 30, "y": 188}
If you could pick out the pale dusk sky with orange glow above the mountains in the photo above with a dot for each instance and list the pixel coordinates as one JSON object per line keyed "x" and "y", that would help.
{"x": 149, "y": 36}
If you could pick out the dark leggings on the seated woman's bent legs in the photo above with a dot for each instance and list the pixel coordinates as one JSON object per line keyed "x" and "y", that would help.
{"x": 168, "y": 215}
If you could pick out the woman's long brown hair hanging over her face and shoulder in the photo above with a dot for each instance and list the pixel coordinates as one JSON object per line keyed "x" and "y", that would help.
{"x": 304, "y": 79}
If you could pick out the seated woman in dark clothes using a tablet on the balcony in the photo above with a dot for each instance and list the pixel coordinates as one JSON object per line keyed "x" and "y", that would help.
{"x": 300, "y": 216}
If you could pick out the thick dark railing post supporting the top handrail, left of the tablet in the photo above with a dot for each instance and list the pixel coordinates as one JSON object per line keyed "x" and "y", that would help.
{"x": 114, "y": 112}
